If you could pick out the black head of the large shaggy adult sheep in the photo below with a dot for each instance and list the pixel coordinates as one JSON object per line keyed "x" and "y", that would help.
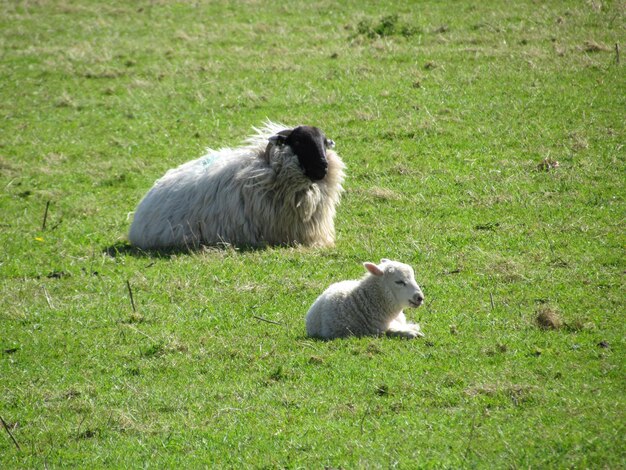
{"x": 310, "y": 145}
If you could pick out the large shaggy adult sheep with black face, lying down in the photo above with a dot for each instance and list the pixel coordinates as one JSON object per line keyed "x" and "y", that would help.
{"x": 280, "y": 188}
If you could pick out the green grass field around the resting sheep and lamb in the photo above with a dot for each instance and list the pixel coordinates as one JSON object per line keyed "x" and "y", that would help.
{"x": 485, "y": 146}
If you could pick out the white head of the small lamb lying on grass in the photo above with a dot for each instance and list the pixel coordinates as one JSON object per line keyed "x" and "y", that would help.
{"x": 399, "y": 279}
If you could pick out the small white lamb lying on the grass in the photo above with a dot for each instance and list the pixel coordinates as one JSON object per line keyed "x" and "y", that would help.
{"x": 370, "y": 306}
